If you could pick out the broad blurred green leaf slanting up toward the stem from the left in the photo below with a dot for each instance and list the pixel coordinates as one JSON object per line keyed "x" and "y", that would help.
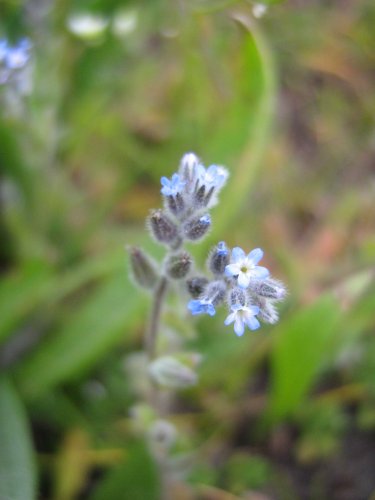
{"x": 100, "y": 324}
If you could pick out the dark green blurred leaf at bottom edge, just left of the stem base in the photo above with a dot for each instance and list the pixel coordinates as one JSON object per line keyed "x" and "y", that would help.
{"x": 135, "y": 478}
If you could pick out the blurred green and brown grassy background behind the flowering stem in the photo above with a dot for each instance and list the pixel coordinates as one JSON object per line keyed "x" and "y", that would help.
{"x": 117, "y": 92}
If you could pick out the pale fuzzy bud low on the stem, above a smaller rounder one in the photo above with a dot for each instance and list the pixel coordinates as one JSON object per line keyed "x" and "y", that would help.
{"x": 170, "y": 372}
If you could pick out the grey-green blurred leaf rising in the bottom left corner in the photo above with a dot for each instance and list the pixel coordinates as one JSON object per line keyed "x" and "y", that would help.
{"x": 17, "y": 466}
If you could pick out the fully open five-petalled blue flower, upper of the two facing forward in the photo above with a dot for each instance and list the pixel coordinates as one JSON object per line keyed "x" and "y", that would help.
{"x": 244, "y": 267}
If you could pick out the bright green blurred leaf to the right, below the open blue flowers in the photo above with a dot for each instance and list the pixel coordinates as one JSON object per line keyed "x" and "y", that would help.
{"x": 300, "y": 348}
